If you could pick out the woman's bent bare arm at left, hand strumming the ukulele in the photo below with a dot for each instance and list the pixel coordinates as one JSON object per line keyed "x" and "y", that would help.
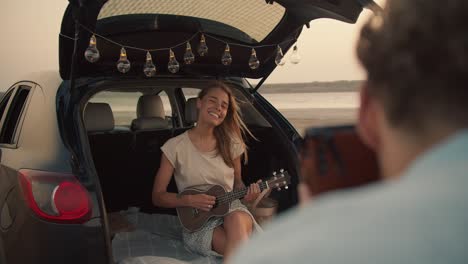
{"x": 162, "y": 198}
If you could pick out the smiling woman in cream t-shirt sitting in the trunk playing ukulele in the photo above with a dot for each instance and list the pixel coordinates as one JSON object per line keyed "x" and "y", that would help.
{"x": 209, "y": 153}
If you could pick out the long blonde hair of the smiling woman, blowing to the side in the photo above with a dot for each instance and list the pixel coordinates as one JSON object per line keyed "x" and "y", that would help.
{"x": 232, "y": 130}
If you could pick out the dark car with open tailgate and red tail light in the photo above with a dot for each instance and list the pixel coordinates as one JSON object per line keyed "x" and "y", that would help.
{"x": 72, "y": 156}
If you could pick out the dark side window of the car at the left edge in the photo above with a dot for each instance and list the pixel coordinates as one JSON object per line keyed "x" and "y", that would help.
{"x": 12, "y": 118}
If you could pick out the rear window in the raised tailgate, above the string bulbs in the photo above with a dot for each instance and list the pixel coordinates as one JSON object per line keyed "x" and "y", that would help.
{"x": 253, "y": 17}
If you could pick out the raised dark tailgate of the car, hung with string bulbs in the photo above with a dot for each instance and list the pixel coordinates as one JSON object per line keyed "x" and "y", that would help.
{"x": 158, "y": 25}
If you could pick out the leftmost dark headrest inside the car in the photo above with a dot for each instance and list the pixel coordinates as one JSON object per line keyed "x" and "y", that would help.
{"x": 98, "y": 117}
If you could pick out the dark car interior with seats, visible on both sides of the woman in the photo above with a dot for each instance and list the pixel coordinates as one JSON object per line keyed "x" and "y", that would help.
{"x": 126, "y": 158}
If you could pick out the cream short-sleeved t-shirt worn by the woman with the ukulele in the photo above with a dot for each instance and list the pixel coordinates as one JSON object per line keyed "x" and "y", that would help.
{"x": 194, "y": 167}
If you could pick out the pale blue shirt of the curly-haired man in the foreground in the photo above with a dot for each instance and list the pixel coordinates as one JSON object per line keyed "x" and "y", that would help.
{"x": 420, "y": 218}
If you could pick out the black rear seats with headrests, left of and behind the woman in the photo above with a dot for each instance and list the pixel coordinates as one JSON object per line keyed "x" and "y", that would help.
{"x": 127, "y": 162}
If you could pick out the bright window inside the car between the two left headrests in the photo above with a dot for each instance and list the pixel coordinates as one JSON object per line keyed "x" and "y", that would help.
{"x": 123, "y": 105}
